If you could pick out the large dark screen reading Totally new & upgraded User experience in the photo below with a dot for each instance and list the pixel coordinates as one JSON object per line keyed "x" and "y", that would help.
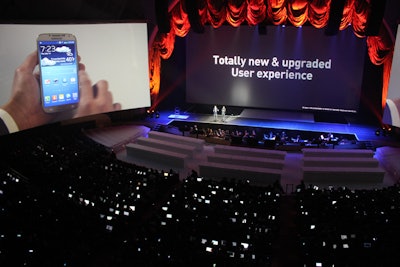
{"x": 288, "y": 68}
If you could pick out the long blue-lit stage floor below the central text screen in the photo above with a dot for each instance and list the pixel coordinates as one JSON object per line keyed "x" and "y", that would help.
{"x": 280, "y": 121}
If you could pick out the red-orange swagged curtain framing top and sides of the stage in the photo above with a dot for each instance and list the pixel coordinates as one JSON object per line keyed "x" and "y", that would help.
{"x": 277, "y": 12}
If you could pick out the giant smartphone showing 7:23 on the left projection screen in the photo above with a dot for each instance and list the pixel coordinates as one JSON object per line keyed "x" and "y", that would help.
{"x": 58, "y": 64}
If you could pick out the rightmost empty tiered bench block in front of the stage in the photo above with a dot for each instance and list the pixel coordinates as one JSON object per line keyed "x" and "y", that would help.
{"x": 340, "y": 166}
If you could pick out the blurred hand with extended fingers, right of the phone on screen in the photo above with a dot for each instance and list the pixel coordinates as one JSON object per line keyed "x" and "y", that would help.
{"x": 94, "y": 99}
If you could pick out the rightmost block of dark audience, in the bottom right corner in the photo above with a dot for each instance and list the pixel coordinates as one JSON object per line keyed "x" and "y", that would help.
{"x": 343, "y": 227}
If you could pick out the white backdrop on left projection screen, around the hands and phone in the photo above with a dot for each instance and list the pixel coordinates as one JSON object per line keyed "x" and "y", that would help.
{"x": 115, "y": 52}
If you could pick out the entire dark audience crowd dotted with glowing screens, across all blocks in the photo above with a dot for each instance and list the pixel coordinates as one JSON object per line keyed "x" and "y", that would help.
{"x": 68, "y": 201}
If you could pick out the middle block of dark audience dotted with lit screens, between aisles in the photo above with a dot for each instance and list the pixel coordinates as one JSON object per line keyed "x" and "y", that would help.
{"x": 210, "y": 223}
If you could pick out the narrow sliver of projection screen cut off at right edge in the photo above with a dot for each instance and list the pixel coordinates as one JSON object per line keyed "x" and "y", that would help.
{"x": 391, "y": 113}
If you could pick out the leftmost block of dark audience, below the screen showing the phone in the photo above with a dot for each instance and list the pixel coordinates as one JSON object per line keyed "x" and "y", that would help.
{"x": 66, "y": 201}
